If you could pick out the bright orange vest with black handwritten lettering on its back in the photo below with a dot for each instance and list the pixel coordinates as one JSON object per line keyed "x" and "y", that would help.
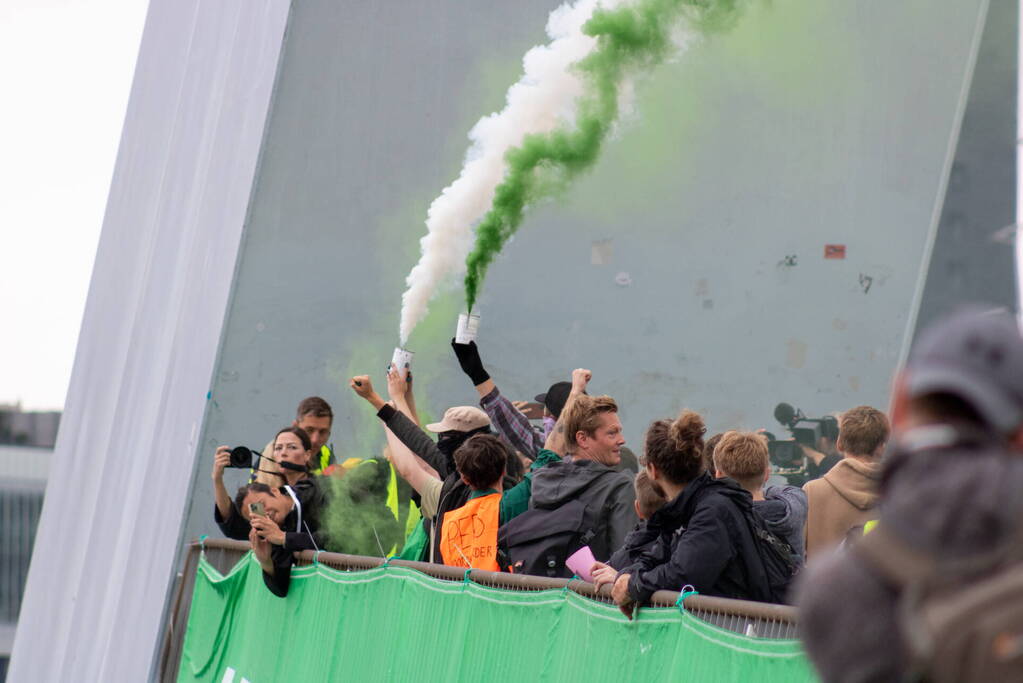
{"x": 471, "y": 533}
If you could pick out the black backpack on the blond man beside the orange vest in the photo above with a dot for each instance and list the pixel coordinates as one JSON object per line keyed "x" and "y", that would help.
{"x": 539, "y": 541}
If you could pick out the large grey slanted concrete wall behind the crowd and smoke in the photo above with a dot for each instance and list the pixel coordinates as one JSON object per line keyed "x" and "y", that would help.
{"x": 807, "y": 126}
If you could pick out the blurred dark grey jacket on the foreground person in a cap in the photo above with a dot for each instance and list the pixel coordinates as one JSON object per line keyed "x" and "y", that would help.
{"x": 944, "y": 491}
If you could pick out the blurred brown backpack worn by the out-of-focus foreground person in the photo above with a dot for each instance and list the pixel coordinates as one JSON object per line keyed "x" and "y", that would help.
{"x": 961, "y": 621}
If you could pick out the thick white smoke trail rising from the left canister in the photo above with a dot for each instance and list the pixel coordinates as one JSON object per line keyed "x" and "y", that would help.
{"x": 543, "y": 100}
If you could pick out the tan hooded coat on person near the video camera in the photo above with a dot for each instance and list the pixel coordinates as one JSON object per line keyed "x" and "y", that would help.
{"x": 839, "y": 502}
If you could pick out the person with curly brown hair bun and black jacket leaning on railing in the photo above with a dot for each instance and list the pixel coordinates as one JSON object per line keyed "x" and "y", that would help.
{"x": 704, "y": 538}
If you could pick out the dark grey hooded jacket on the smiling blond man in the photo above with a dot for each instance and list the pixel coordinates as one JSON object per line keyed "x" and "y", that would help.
{"x": 608, "y": 495}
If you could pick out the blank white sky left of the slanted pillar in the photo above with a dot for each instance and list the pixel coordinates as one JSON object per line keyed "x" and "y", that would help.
{"x": 66, "y": 72}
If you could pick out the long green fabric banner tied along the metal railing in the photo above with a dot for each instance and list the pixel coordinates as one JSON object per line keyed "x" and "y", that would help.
{"x": 395, "y": 624}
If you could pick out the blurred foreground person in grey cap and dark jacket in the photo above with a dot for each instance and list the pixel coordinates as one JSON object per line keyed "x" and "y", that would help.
{"x": 950, "y": 493}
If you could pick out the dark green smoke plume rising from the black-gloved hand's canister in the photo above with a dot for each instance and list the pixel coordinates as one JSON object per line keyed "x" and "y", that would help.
{"x": 631, "y": 40}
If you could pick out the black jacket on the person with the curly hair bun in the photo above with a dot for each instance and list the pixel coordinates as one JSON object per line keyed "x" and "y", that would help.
{"x": 704, "y": 541}
